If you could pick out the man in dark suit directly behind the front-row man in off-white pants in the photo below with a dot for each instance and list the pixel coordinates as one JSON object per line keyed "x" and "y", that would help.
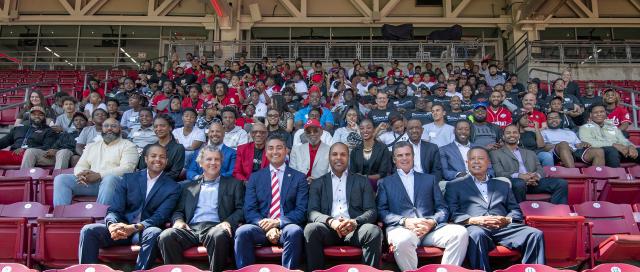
{"x": 427, "y": 156}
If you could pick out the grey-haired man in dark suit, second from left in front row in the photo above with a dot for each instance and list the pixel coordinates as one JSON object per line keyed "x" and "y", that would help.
{"x": 209, "y": 210}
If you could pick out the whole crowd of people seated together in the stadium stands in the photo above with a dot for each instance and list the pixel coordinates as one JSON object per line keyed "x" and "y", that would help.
{"x": 305, "y": 157}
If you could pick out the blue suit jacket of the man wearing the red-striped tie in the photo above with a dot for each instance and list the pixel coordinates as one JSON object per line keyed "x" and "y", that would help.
{"x": 294, "y": 197}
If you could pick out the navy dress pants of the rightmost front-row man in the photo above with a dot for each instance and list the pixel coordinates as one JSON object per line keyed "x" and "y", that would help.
{"x": 529, "y": 241}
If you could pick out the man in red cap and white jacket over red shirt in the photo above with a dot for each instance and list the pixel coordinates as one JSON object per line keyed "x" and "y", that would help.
{"x": 309, "y": 158}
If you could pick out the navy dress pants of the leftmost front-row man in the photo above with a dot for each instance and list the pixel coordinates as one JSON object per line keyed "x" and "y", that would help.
{"x": 96, "y": 236}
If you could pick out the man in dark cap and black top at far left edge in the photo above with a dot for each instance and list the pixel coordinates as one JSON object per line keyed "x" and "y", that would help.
{"x": 36, "y": 135}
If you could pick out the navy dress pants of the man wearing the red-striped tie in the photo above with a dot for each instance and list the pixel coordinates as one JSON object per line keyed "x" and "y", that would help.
{"x": 249, "y": 235}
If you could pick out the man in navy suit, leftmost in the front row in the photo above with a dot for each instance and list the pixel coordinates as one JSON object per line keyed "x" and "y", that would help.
{"x": 141, "y": 204}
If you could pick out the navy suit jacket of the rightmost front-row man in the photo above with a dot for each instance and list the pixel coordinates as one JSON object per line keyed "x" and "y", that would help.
{"x": 465, "y": 200}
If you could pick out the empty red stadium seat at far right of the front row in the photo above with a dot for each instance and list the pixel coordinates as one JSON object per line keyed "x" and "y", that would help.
{"x": 613, "y": 233}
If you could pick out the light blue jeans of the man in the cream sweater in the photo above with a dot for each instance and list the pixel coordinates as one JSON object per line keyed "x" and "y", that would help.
{"x": 66, "y": 186}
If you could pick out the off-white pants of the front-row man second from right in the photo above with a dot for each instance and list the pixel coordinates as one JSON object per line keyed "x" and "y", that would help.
{"x": 453, "y": 238}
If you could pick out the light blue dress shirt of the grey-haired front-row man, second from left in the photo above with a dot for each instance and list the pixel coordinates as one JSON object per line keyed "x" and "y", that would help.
{"x": 207, "y": 208}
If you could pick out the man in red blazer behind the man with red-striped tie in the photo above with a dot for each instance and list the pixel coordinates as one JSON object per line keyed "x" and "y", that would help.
{"x": 251, "y": 157}
